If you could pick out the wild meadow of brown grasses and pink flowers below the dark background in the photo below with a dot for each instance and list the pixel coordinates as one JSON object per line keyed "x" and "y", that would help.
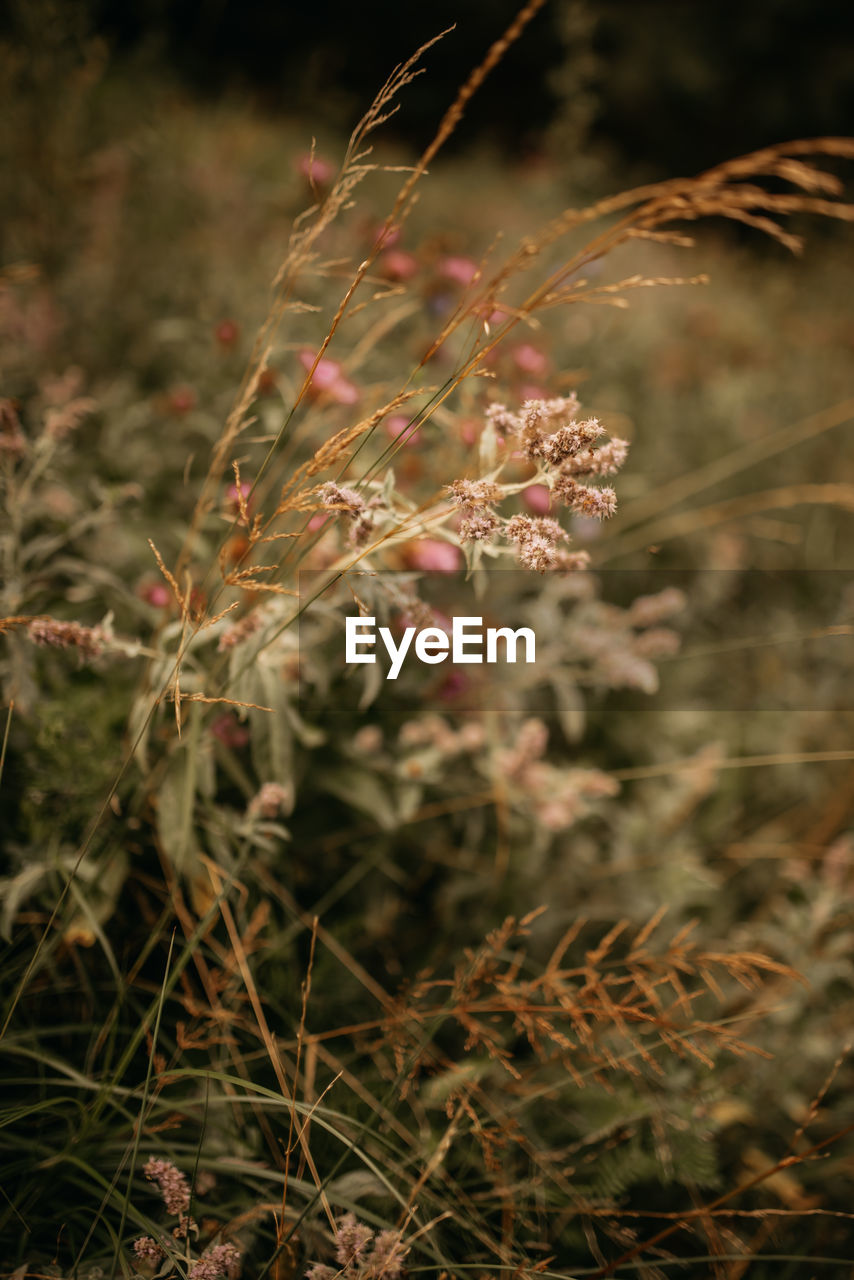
{"x": 541, "y": 972}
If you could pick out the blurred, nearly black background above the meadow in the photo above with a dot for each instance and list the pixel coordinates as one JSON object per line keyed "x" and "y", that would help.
{"x": 668, "y": 85}
